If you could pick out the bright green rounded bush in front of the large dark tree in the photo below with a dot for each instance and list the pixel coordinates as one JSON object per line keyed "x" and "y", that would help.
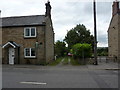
{"x": 82, "y": 50}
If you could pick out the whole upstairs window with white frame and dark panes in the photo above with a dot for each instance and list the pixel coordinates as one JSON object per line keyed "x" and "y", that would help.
{"x": 30, "y": 32}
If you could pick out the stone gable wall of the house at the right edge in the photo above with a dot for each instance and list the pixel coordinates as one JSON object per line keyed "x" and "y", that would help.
{"x": 113, "y": 37}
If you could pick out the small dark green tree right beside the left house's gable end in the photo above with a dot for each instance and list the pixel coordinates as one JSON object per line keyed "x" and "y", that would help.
{"x": 60, "y": 48}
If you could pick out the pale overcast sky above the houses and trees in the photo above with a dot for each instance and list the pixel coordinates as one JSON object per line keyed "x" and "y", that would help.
{"x": 66, "y": 14}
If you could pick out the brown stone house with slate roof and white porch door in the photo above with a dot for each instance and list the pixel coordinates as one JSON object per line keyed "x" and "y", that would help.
{"x": 28, "y": 39}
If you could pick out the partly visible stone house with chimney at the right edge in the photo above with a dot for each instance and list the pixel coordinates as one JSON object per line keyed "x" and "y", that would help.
{"x": 114, "y": 32}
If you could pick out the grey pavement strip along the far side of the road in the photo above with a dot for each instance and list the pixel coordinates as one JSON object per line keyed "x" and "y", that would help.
{"x": 101, "y": 65}
